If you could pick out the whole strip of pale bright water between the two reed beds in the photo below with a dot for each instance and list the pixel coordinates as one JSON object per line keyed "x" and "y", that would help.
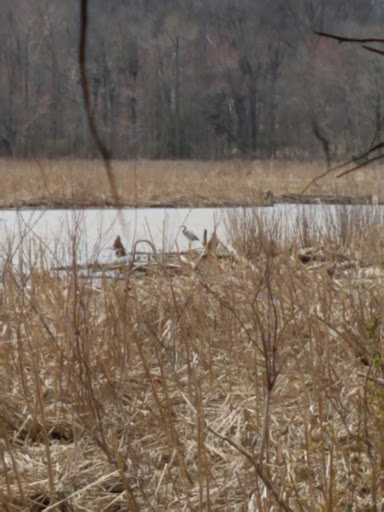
{"x": 90, "y": 233}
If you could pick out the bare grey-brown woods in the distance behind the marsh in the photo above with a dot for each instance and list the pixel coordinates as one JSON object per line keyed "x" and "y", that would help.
{"x": 191, "y": 79}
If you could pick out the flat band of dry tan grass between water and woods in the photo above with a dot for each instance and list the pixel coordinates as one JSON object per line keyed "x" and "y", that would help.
{"x": 188, "y": 183}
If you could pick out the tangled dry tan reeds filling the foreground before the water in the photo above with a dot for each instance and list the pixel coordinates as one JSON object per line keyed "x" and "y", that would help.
{"x": 254, "y": 383}
